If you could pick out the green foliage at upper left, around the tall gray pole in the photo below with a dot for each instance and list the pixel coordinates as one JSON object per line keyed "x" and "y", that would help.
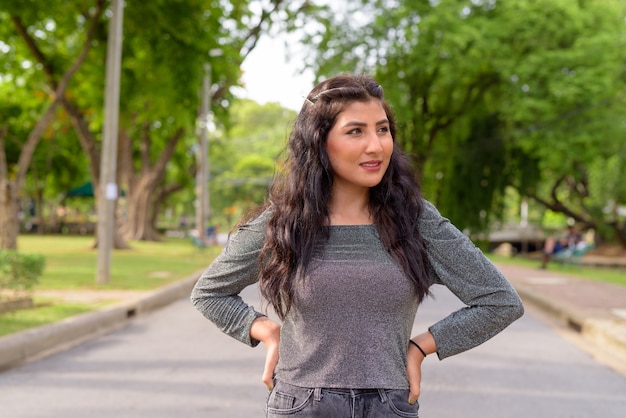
{"x": 167, "y": 48}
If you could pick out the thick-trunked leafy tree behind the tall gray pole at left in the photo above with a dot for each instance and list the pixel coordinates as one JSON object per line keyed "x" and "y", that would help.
{"x": 162, "y": 70}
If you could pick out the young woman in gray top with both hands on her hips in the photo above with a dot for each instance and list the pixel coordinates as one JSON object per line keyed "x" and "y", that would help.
{"x": 344, "y": 252}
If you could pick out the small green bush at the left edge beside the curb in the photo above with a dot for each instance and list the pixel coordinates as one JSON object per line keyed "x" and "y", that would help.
{"x": 19, "y": 273}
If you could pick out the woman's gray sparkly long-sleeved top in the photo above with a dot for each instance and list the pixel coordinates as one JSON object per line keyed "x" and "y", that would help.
{"x": 352, "y": 314}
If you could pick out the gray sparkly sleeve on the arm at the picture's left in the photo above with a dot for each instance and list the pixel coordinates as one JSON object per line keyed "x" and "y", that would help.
{"x": 216, "y": 293}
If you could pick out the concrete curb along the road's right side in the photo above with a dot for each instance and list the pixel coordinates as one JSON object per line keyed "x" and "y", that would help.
{"x": 602, "y": 331}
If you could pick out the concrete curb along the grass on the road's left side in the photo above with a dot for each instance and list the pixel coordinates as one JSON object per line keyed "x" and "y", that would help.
{"x": 36, "y": 343}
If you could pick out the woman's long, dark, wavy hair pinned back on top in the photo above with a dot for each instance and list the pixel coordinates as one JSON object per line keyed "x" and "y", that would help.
{"x": 299, "y": 198}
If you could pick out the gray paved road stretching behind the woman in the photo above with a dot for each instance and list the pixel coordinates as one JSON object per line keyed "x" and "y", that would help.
{"x": 174, "y": 363}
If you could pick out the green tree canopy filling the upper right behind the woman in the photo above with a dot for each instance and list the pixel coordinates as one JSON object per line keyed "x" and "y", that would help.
{"x": 513, "y": 85}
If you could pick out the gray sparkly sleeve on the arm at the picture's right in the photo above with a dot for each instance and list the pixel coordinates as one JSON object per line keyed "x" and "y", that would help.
{"x": 455, "y": 262}
